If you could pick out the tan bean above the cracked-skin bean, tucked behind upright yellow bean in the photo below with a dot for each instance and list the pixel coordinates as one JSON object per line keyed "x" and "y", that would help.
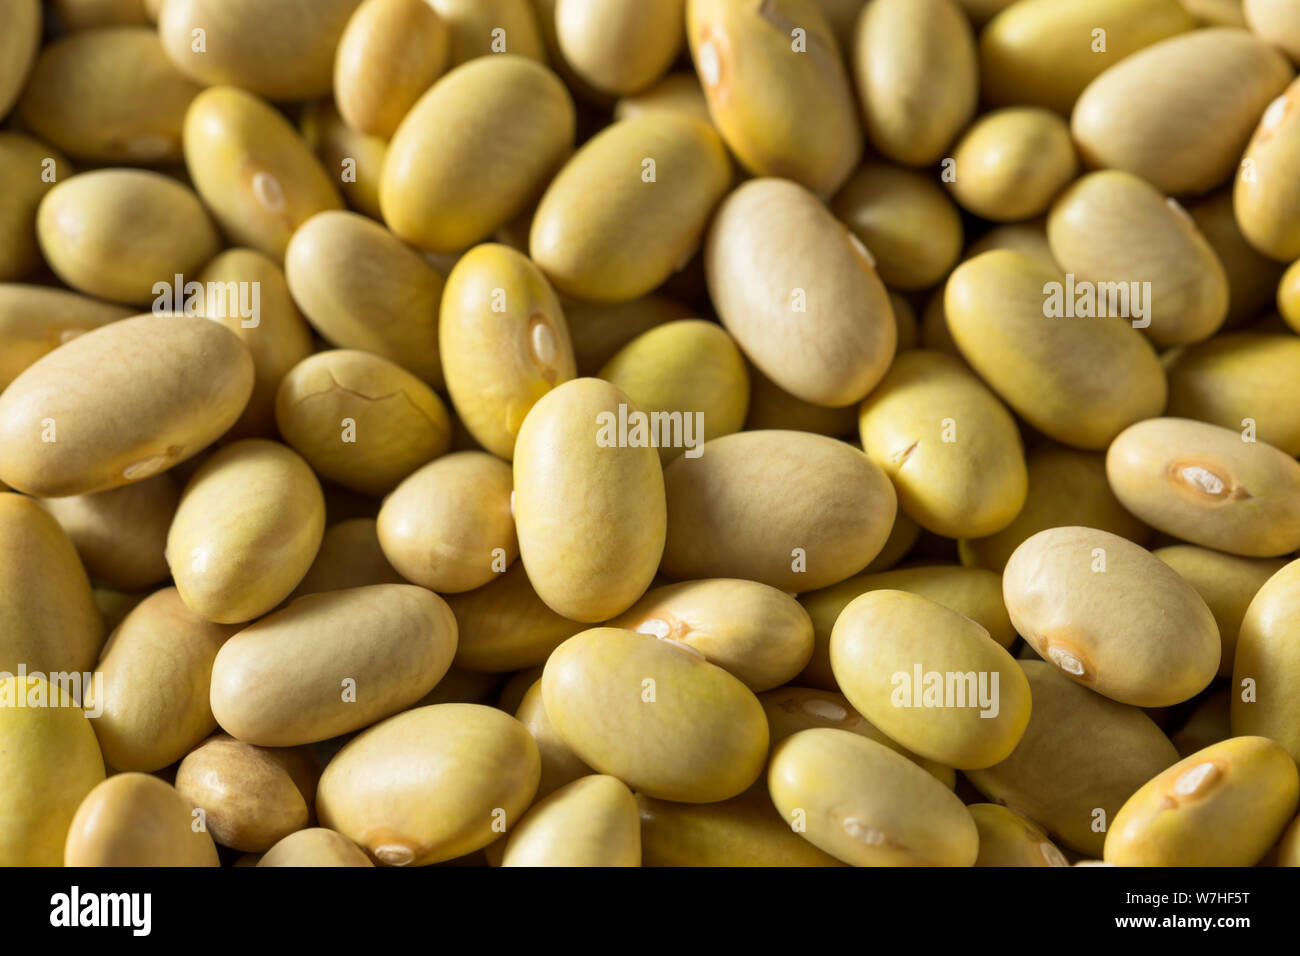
{"x": 361, "y": 288}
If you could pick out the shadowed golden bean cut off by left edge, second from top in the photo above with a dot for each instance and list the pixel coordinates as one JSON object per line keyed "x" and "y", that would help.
{"x": 24, "y": 163}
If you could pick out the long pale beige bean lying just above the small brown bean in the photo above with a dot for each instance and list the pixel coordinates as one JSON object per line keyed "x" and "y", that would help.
{"x": 332, "y": 664}
